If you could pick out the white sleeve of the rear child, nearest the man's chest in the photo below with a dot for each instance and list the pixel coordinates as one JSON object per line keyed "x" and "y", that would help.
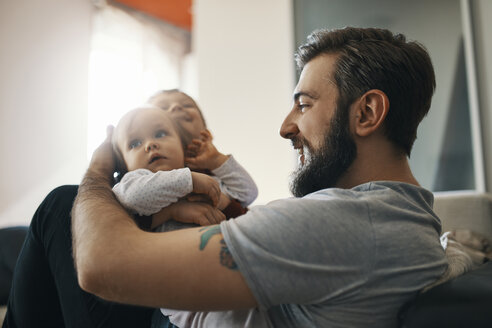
{"x": 236, "y": 182}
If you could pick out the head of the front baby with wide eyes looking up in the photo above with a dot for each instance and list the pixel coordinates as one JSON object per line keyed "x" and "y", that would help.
{"x": 147, "y": 137}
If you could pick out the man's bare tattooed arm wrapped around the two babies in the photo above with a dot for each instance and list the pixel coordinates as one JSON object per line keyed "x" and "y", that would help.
{"x": 188, "y": 269}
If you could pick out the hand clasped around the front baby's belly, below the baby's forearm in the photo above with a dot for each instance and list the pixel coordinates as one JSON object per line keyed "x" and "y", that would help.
{"x": 189, "y": 212}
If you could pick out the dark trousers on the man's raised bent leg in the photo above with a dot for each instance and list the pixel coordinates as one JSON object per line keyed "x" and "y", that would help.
{"x": 45, "y": 291}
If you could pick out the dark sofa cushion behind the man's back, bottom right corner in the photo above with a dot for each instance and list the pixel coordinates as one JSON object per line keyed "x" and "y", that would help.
{"x": 462, "y": 302}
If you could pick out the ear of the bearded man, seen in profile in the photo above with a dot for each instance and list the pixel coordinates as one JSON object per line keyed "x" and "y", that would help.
{"x": 370, "y": 112}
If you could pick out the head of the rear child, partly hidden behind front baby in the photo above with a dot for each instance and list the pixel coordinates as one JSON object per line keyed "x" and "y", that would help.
{"x": 182, "y": 108}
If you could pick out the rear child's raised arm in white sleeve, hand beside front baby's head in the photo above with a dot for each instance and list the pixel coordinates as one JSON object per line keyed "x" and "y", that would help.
{"x": 235, "y": 180}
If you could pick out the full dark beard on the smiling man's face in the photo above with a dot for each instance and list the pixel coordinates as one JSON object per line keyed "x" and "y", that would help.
{"x": 326, "y": 165}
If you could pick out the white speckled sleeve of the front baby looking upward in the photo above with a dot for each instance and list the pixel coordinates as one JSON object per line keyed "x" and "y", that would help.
{"x": 146, "y": 193}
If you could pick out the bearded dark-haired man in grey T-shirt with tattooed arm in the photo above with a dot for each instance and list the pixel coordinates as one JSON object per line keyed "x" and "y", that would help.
{"x": 359, "y": 239}
